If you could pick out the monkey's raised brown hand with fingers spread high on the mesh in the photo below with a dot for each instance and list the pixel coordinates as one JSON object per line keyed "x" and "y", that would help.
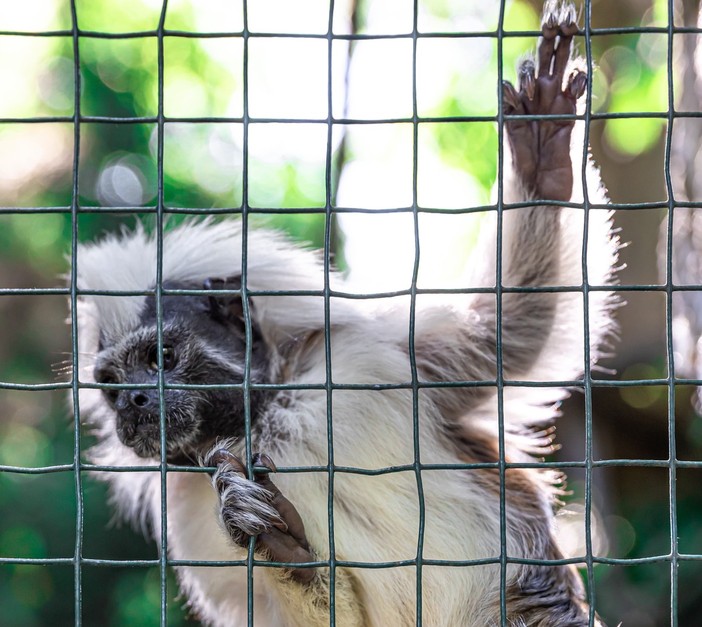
{"x": 541, "y": 148}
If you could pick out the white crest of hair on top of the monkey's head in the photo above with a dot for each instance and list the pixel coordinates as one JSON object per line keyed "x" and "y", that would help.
{"x": 192, "y": 252}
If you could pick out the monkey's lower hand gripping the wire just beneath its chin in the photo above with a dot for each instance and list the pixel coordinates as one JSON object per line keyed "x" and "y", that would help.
{"x": 258, "y": 509}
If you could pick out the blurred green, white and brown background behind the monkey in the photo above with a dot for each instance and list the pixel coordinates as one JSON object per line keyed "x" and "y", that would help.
{"x": 370, "y": 164}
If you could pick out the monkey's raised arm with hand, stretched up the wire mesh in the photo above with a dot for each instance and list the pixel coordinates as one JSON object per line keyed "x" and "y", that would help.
{"x": 541, "y": 332}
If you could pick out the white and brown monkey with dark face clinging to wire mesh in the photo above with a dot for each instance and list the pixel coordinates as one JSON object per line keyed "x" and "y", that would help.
{"x": 345, "y": 462}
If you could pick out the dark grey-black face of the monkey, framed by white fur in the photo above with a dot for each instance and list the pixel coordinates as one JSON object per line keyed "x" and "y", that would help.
{"x": 204, "y": 343}
